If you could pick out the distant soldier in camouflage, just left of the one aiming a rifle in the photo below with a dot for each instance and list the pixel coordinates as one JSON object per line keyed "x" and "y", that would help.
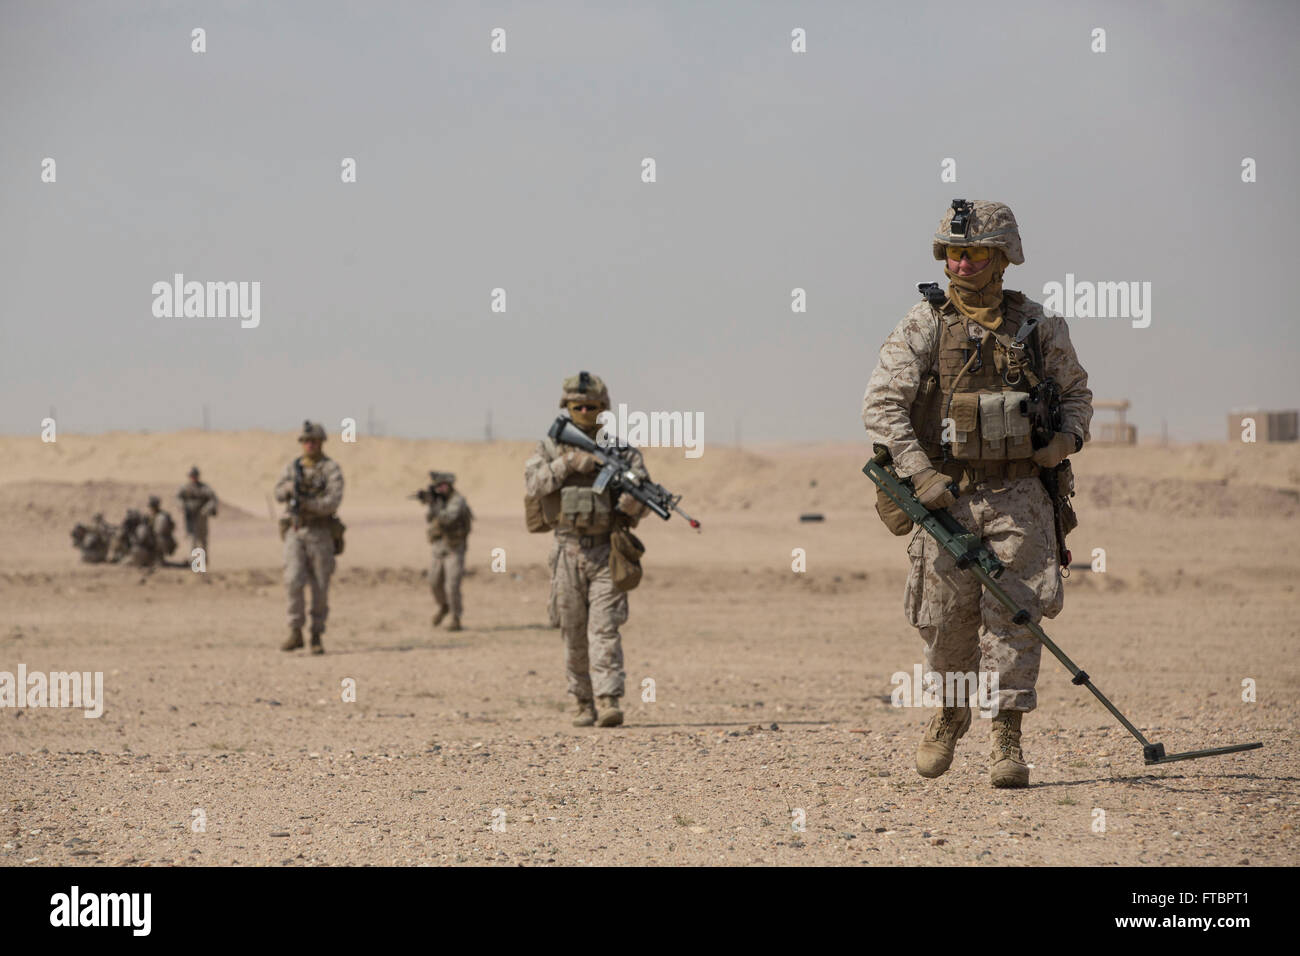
{"x": 309, "y": 534}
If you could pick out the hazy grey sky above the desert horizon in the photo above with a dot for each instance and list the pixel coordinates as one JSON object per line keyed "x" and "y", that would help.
{"x": 523, "y": 171}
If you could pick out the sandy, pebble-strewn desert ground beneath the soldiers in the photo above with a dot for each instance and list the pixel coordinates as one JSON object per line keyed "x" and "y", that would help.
{"x": 772, "y": 687}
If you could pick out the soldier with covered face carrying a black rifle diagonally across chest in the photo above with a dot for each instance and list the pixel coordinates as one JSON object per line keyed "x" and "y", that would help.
{"x": 591, "y": 608}
